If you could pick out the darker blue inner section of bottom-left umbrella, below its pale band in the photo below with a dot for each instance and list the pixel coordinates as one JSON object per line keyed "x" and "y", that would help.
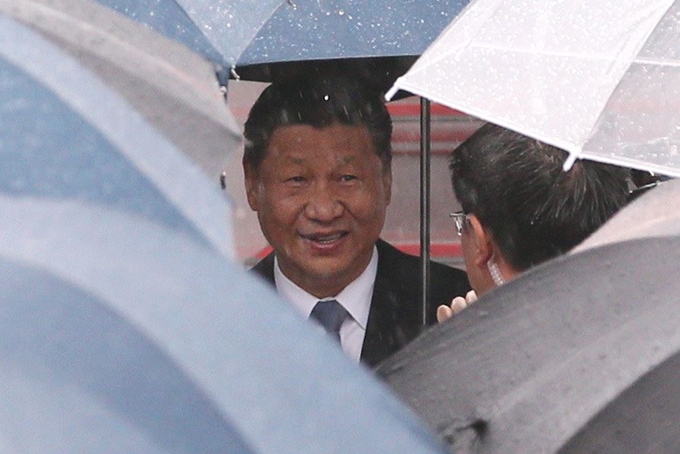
{"x": 74, "y": 365}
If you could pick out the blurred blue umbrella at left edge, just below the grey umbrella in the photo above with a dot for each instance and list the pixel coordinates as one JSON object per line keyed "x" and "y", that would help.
{"x": 67, "y": 136}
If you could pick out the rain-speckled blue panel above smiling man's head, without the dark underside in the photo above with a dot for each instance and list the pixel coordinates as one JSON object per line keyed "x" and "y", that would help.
{"x": 302, "y": 30}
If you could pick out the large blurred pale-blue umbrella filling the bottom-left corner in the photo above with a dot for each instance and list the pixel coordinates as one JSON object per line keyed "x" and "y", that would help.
{"x": 118, "y": 335}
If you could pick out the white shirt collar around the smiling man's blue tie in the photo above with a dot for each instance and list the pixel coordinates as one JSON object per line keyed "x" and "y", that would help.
{"x": 356, "y": 297}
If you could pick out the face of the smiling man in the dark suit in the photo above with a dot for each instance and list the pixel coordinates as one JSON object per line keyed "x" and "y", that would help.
{"x": 320, "y": 197}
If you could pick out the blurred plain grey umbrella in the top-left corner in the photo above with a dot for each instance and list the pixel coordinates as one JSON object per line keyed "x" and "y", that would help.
{"x": 173, "y": 88}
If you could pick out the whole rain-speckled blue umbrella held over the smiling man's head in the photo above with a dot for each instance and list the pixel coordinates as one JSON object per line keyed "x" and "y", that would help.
{"x": 245, "y": 32}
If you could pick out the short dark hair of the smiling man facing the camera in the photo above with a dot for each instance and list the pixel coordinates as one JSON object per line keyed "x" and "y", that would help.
{"x": 319, "y": 103}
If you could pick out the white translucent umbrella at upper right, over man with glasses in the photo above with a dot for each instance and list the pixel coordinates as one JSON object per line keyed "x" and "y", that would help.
{"x": 598, "y": 79}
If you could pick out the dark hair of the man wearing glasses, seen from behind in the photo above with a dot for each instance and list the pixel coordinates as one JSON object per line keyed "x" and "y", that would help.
{"x": 517, "y": 188}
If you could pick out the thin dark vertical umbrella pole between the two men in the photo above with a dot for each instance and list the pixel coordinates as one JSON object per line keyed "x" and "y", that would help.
{"x": 425, "y": 206}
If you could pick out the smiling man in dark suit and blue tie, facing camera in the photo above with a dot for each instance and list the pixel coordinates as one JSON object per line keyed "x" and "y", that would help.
{"x": 317, "y": 168}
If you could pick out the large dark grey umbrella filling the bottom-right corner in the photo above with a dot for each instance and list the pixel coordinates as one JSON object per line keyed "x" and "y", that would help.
{"x": 566, "y": 344}
